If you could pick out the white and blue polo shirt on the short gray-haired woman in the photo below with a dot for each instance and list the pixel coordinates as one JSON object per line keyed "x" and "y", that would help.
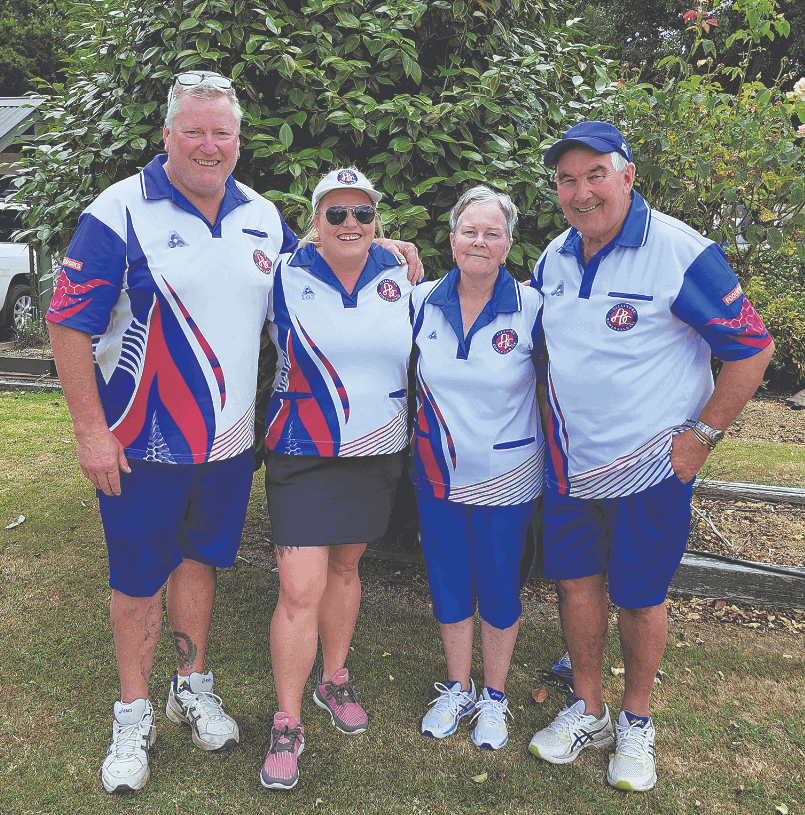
{"x": 478, "y": 437}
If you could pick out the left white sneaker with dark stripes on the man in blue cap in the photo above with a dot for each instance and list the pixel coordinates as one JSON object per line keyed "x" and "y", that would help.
{"x": 570, "y": 732}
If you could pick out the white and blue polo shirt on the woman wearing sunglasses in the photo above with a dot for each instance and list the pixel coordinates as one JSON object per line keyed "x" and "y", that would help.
{"x": 341, "y": 386}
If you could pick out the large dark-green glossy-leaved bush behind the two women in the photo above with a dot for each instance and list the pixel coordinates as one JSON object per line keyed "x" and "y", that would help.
{"x": 427, "y": 97}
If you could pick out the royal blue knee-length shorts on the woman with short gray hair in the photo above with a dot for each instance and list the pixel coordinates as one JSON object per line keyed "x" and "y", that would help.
{"x": 473, "y": 551}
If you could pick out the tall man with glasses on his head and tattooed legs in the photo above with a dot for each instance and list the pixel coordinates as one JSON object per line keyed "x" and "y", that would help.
{"x": 155, "y": 326}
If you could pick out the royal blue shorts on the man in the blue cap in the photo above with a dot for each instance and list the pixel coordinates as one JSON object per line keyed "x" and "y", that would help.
{"x": 638, "y": 540}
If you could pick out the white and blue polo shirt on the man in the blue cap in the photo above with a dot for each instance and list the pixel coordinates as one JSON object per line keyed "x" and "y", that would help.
{"x": 629, "y": 338}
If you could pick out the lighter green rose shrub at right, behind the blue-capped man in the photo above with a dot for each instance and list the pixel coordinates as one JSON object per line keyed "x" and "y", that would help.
{"x": 729, "y": 164}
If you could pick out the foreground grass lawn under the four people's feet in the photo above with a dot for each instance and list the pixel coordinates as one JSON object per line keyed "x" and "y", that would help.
{"x": 729, "y": 712}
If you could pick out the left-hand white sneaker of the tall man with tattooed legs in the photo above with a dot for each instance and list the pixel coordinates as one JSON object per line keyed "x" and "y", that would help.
{"x": 125, "y": 767}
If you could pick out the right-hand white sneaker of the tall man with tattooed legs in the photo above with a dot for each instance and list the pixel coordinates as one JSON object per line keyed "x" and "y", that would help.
{"x": 196, "y": 705}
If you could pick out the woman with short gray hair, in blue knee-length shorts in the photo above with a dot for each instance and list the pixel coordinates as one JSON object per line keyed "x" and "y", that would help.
{"x": 478, "y": 456}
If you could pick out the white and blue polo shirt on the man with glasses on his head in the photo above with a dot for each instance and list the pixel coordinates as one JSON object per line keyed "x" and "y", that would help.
{"x": 175, "y": 306}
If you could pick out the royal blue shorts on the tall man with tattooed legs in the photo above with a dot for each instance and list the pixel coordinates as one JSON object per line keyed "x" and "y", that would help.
{"x": 168, "y": 512}
